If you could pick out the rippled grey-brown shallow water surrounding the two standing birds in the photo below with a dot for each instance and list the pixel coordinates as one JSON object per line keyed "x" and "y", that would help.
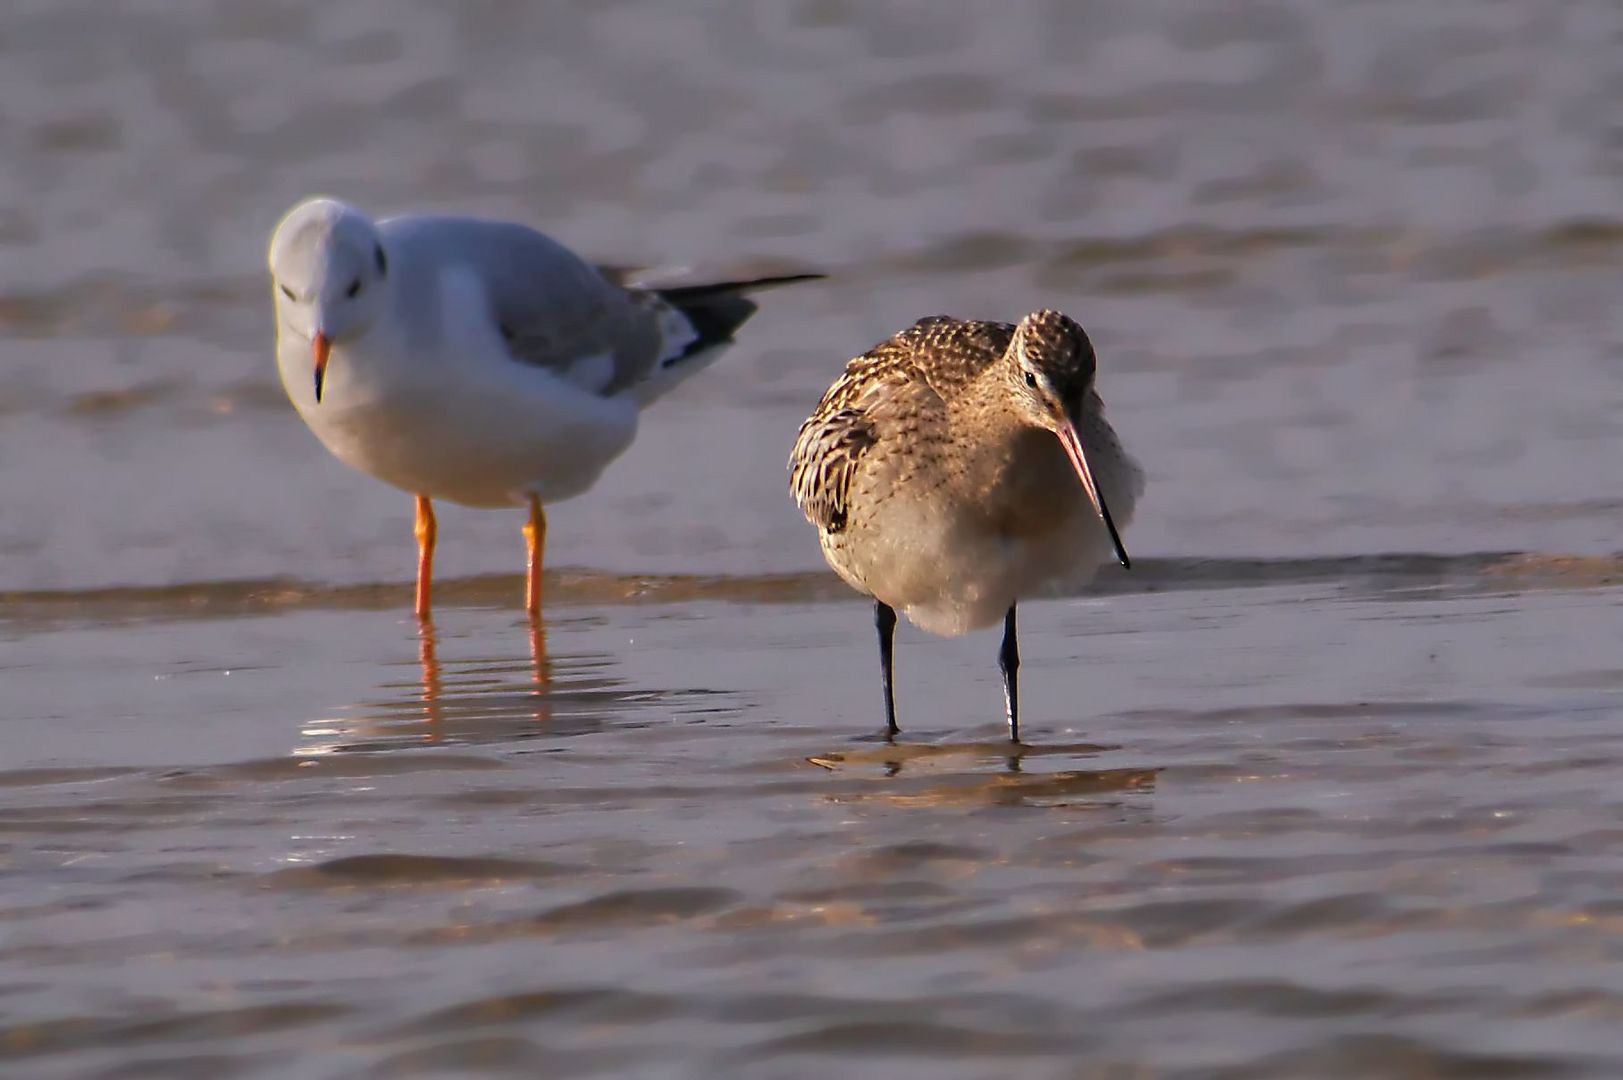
{"x": 1324, "y": 788}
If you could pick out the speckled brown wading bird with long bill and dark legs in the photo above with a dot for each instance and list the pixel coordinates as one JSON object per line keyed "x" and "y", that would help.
{"x": 962, "y": 467}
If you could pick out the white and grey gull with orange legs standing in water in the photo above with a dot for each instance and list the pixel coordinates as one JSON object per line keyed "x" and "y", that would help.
{"x": 478, "y": 361}
